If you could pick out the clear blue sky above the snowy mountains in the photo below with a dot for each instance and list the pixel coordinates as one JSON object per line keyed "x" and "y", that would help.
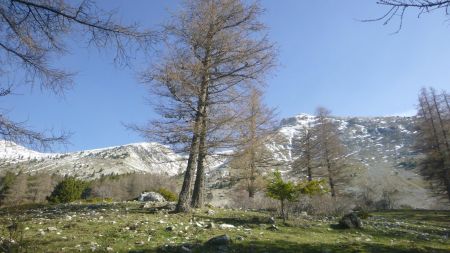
{"x": 327, "y": 57}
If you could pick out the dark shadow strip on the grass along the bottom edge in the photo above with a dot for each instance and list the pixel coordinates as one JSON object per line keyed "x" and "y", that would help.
{"x": 281, "y": 246}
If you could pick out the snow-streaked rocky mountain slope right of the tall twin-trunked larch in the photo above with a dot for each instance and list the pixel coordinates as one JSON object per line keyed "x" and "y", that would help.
{"x": 381, "y": 149}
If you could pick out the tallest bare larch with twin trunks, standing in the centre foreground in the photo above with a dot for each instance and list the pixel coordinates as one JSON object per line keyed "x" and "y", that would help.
{"x": 216, "y": 50}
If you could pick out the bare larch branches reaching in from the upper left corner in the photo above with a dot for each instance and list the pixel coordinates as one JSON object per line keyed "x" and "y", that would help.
{"x": 32, "y": 32}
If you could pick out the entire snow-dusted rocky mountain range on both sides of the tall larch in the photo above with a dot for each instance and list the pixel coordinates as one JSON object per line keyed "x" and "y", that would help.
{"x": 381, "y": 148}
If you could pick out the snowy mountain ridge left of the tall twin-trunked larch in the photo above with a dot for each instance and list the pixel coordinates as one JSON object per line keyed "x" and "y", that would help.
{"x": 131, "y": 158}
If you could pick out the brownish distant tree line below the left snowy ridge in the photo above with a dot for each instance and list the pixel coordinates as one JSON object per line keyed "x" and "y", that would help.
{"x": 21, "y": 188}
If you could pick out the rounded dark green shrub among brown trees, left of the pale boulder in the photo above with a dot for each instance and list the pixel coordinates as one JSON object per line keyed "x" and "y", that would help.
{"x": 68, "y": 190}
